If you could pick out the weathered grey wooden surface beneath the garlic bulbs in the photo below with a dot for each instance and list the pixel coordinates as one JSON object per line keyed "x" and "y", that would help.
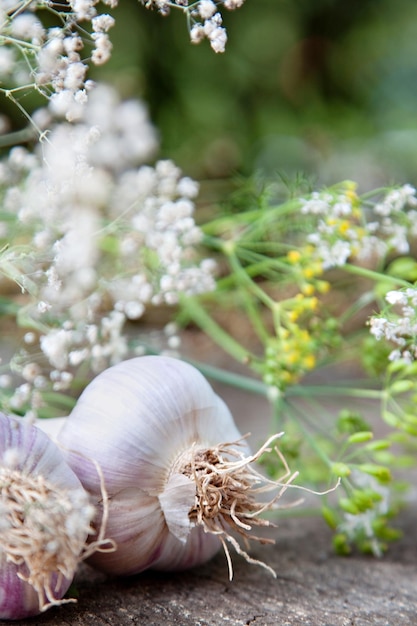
{"x": 313, "y": 587}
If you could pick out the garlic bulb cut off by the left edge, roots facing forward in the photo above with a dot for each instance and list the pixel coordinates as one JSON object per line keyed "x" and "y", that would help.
{"x": 45, "y": 518}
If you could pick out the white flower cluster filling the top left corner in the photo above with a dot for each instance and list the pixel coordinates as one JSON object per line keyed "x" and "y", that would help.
{"x": 43, "y": 47}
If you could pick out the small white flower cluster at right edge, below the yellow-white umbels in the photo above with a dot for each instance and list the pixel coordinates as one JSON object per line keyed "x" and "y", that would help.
{"x": 398, "y": 324}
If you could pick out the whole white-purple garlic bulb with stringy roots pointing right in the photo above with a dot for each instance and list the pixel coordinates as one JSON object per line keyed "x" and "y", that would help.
{"x": 176, "y": 491}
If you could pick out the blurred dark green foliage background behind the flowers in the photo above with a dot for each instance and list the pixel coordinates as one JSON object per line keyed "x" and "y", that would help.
{"x": 323, "y": 87}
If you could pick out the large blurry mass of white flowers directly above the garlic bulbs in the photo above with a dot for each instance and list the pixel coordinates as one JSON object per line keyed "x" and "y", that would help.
{"x": 96, "y": 237}
